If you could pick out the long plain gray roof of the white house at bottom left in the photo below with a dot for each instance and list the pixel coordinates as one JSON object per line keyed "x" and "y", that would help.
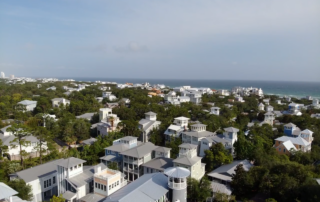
{"x": 36, "y": 172}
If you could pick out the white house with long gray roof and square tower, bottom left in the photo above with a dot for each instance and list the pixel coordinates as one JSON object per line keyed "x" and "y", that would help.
{"x": 63, "y": 176}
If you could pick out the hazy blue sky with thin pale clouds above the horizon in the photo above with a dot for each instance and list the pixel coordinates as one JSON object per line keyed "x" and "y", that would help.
{"x": 169, "y": 39}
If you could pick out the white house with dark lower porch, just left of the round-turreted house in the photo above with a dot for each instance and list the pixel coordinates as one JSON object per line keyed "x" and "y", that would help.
{"x": 179, "y": 125}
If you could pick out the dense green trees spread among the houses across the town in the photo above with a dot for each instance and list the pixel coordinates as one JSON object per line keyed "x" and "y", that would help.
{"x": 275, "y": 176}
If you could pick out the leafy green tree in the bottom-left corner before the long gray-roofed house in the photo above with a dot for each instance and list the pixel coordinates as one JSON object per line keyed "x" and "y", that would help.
{"x": 24, "y": 190}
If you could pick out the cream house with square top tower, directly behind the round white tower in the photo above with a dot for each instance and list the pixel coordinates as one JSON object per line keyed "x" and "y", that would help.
{"x": 188, "y": 159}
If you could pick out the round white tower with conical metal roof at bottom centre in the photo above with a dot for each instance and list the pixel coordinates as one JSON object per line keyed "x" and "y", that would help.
{"x": 177, "y": 182}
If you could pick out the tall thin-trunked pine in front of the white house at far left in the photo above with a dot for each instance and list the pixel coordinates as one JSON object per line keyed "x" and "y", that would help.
{"x": 20, "y": 132}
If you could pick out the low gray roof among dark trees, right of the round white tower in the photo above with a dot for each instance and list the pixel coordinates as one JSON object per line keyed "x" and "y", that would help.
{"x": 225, "y": 172}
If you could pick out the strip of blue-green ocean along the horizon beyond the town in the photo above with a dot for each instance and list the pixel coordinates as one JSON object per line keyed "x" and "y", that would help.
{"x": 280, "y": 88}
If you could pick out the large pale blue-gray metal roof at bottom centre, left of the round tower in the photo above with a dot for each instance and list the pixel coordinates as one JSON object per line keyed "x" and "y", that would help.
{"x": 149, "y": 187}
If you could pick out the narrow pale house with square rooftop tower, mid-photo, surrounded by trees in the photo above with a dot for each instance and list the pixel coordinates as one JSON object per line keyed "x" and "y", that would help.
{"x": 148, "y": 124}
